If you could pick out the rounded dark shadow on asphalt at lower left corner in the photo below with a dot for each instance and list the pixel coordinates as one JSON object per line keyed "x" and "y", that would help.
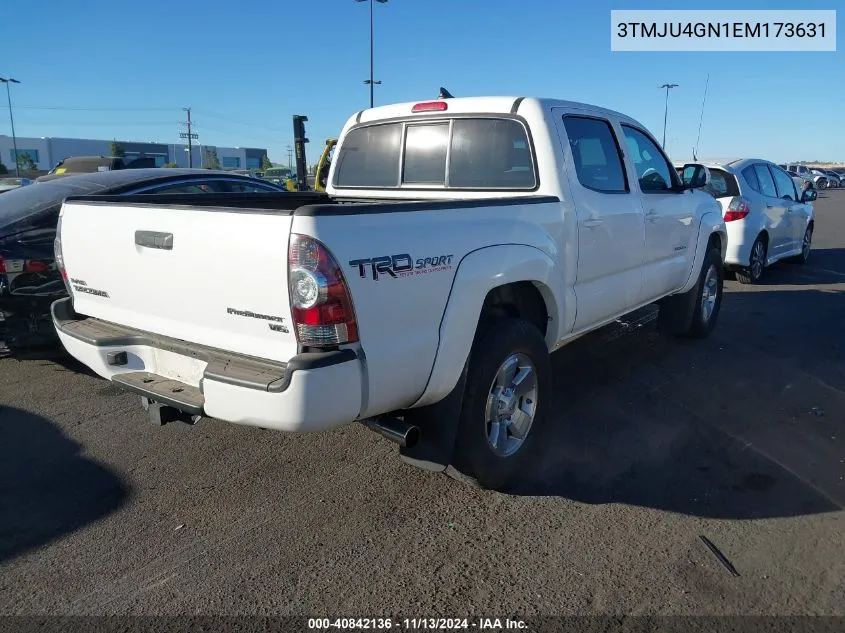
{"x": 47, "y": 489}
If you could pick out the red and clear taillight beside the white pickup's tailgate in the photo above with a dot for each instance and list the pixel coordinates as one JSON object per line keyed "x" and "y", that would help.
{"x": 320, "y": 301}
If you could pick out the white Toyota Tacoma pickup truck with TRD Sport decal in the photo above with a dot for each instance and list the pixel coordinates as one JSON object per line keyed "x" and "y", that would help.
{"x": 460, "y": 241}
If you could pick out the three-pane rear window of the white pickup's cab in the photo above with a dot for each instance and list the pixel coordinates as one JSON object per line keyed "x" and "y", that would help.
{"x": 460, "y": 153}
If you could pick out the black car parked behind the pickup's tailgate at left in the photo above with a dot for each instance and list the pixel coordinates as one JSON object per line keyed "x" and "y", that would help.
{"x": 29, "y": 280}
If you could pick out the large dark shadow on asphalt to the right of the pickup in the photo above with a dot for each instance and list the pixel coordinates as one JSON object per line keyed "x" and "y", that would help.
{"x": 725, "y": 428}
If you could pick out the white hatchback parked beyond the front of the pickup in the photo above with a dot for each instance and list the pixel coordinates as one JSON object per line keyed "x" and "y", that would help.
{"x": 767, "y": 216}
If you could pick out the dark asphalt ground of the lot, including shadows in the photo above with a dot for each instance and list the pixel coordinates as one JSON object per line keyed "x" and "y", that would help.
{"x": 740, "y": 439}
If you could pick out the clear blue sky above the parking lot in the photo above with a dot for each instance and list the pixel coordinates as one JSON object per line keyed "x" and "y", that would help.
{"x": 96, "y": 69}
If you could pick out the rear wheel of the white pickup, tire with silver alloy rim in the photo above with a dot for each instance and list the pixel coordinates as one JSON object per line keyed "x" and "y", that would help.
{"x": 503, "y": 350}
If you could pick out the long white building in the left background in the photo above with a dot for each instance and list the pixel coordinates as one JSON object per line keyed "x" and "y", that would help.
{"x": 46, "y": 152}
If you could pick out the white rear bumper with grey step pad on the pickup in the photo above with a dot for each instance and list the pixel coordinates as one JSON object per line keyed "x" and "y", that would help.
{"x": 311, "y": 392}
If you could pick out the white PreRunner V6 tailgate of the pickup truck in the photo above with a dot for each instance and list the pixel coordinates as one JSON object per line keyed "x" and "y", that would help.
{"x": 207, "y": 275}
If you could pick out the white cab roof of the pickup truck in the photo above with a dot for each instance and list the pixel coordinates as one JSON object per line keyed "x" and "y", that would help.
{"x": 492, "y": 104}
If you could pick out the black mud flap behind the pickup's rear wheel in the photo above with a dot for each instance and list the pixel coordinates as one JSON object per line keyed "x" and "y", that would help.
{"x": 438, "y": 424}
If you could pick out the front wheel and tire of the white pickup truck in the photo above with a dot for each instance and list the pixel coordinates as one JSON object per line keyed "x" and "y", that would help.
{"x": 694, "y": 314}
